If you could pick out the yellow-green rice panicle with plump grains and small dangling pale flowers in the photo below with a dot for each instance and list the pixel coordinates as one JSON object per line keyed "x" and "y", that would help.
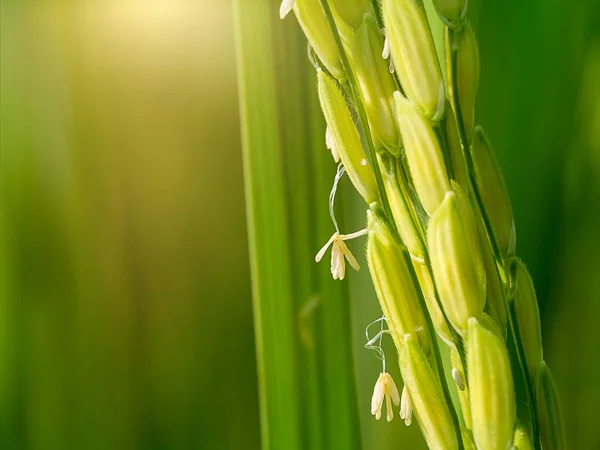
{"x": 441, "y": 236}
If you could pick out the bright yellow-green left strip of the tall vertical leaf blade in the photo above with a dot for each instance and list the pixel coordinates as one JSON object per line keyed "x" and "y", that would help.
{"x": 268, "y": 235}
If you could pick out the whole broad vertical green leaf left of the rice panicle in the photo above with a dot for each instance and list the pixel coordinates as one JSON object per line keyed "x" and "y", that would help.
{"x": 302, "y": 317}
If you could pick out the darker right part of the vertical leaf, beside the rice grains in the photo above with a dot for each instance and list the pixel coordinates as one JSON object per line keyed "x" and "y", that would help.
{"x": 329, "y": 409}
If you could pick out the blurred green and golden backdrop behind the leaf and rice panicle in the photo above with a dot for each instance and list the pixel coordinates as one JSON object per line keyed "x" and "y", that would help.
{"x": 125, "y": 311}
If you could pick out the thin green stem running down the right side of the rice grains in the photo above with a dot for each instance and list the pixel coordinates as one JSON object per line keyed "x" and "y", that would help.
{"x": 500, "y": 263}
